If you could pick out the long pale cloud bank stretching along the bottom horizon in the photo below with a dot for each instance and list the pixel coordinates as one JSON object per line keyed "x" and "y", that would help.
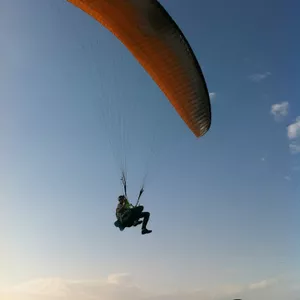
{"x": 116, "y": 287}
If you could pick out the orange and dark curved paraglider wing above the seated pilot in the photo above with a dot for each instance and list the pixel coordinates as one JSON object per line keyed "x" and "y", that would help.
{"x": 155, "y": 40}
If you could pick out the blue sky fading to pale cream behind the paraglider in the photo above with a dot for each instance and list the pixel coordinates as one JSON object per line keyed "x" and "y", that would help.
{"x": 224, "y": 208}
